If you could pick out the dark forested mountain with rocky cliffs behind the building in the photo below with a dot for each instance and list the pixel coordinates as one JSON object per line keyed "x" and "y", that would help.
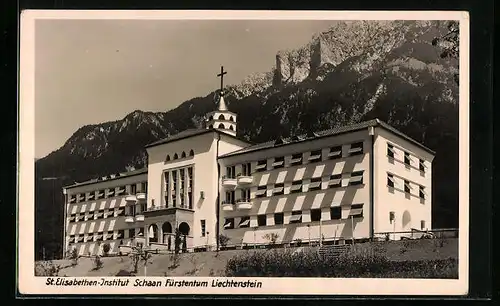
{"x": 352, "y": 72}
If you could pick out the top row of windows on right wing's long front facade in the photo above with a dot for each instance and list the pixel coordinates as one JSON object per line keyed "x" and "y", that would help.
{"x": 296, "y": 160}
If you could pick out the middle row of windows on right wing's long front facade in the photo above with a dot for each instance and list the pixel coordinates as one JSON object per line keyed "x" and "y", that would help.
{"x": 298, "y": 186}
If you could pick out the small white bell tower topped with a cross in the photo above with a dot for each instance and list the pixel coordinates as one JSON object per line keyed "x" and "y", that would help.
{"x": 222, "y": 119}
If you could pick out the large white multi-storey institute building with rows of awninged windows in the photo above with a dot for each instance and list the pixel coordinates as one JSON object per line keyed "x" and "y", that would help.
{"x": 351, "y": 182}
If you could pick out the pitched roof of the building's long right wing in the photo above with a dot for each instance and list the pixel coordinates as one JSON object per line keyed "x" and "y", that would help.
{"x": 319, "y": 134}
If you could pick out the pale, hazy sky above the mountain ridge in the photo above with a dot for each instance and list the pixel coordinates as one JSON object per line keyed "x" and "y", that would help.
{"x": 93, "y": 71}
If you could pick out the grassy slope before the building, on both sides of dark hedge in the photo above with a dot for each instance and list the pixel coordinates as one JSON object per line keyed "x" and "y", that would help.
{"x": 208, "y": 264}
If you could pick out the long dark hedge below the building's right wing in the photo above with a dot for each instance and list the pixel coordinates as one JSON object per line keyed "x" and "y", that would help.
{"x": 309, "y": 263}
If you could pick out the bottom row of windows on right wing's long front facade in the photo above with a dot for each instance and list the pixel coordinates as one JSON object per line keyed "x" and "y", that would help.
{"x": 336, "y": 213}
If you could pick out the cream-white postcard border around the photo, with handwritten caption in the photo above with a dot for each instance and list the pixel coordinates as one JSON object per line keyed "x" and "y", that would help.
{"x": 29, "y": 284}
